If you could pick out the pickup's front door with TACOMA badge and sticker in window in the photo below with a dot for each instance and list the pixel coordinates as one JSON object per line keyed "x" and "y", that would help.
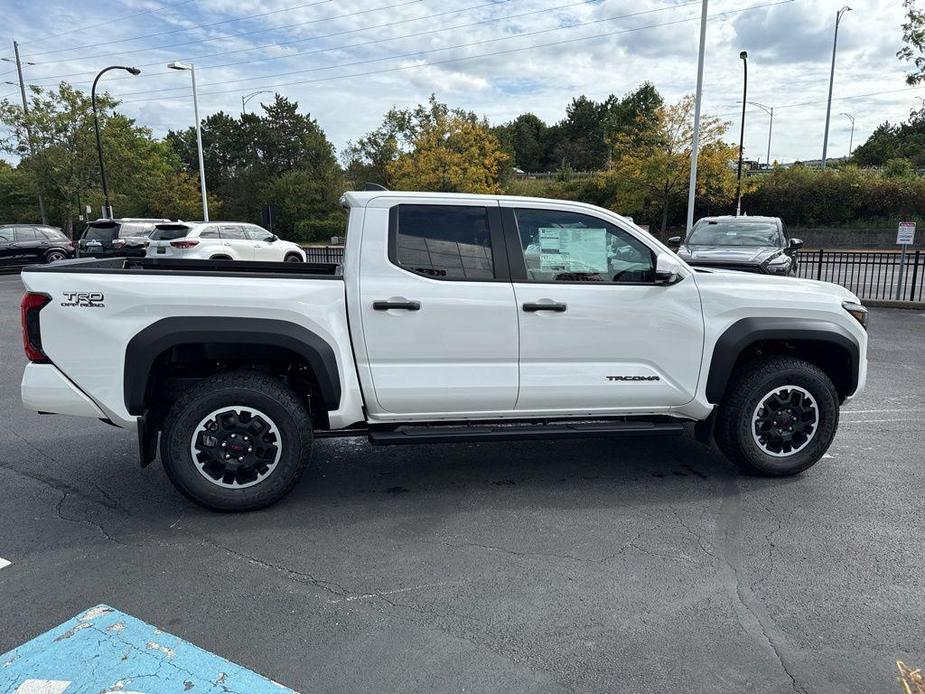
{"x": 597, "y": 335}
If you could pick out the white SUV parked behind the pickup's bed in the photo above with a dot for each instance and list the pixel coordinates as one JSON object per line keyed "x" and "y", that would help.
{"x": 220, "y": 241}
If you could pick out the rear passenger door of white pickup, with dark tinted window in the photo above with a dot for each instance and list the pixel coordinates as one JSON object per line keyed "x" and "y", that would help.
{"x": 437, "y": 310}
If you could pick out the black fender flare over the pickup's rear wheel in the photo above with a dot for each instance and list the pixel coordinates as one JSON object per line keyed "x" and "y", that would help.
{"x": 147, "y": 345}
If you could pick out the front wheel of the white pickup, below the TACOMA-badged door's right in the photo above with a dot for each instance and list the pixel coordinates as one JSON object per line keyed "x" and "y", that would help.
{"x": 779, "y": 416}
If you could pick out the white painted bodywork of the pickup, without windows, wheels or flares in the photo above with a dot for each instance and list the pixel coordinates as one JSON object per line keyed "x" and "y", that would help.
{"x": 470, "y": 353}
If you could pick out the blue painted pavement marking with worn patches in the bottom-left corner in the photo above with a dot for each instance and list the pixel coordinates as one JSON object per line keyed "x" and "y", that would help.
{"x": 104, "y": 651}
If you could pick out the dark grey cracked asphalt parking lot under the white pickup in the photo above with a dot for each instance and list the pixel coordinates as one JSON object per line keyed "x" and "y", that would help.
{"x": 591, "y": 566}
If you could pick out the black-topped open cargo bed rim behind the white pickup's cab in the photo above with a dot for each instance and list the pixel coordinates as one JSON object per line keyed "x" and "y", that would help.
{"x": 158, "y": 266}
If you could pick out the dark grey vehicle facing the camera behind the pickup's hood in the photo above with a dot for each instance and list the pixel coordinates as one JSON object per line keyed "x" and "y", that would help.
{"x": 750, "y": 244}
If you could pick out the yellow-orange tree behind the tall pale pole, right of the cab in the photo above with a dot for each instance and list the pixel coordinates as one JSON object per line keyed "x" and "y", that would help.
{"x": 650, "y": 171}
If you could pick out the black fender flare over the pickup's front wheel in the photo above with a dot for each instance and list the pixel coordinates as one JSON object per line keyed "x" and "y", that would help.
{"x": 748, "y": 331}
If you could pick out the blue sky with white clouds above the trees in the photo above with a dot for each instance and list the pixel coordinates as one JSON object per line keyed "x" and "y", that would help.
{"x": 347, "y": 62}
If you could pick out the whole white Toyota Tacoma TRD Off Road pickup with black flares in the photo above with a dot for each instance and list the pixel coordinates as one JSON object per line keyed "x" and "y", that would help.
{"x": 453, "y": 318}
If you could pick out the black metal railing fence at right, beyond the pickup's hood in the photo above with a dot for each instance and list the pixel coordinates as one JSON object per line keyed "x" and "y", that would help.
{"x": 869, "y": 274}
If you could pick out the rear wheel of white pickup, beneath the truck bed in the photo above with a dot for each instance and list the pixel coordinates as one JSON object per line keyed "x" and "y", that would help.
{"x": 237, "y": 441}
